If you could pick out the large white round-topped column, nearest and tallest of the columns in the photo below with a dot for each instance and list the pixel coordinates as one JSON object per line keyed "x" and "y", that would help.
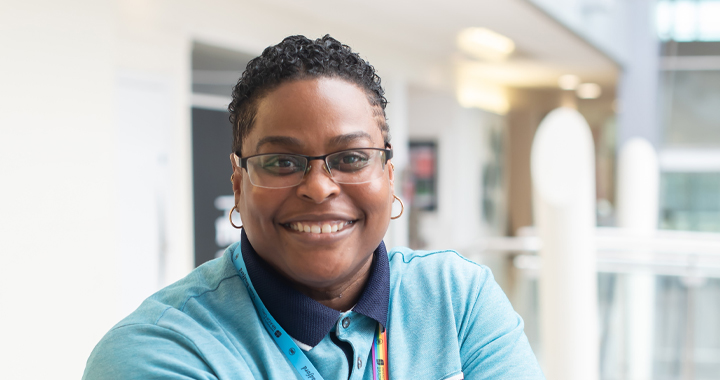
{"x": 563, "y": 175}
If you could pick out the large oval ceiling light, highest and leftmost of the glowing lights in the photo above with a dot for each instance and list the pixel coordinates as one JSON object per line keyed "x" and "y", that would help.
{"x": 485, "y": 44}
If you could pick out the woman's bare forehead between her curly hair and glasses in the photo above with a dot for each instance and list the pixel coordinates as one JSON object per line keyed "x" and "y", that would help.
{"x": 315, "y": 114}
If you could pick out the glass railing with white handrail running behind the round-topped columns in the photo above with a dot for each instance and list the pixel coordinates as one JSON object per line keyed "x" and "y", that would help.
{"x": 683, "y": 272}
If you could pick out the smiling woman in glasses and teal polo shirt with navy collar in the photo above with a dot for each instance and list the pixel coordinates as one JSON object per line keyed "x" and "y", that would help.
{"x": 310, "y": 291}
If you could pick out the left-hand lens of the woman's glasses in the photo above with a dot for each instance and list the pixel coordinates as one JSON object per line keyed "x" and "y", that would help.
{"x": 276, "y": 170}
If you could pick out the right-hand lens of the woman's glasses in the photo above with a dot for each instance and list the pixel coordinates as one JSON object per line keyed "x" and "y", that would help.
{"x": 357, "y": 165}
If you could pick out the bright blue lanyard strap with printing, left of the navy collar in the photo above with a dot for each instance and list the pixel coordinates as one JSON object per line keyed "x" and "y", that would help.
{"x": 288, "y": 347}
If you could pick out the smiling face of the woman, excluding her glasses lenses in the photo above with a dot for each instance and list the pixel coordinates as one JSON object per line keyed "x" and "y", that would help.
{"x": 315, "y": 117}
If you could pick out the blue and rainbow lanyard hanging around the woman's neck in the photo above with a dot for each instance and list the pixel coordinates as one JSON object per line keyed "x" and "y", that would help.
{"x": 288, "y": 347}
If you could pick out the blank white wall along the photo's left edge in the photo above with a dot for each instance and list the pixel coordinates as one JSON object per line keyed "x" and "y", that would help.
{"x": 58, "y": 284}
